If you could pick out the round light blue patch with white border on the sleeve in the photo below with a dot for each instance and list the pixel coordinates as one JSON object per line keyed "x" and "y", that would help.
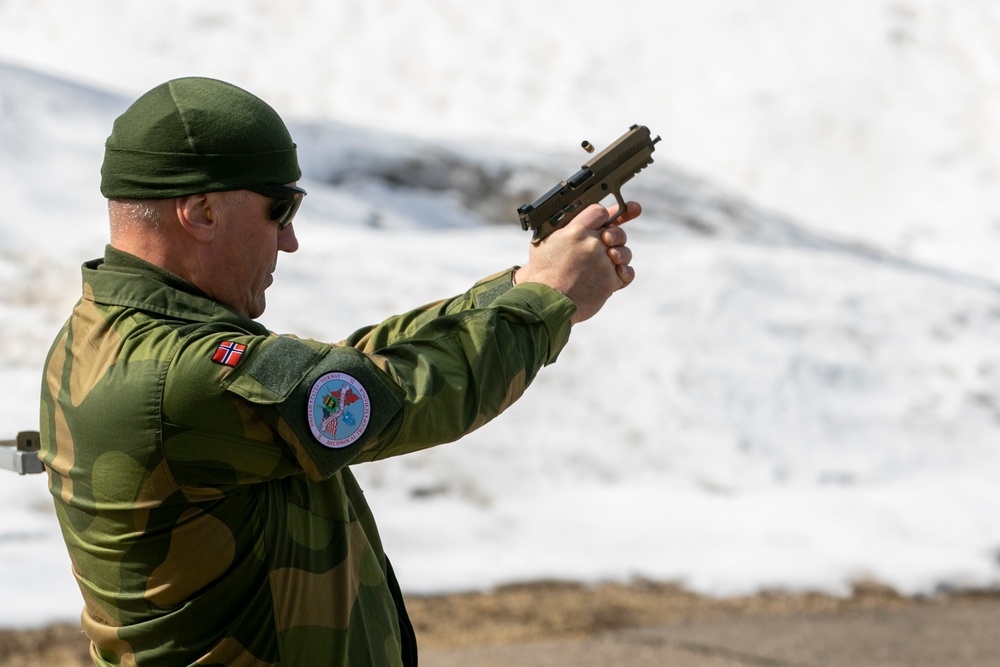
{"x": 339, "y": 410}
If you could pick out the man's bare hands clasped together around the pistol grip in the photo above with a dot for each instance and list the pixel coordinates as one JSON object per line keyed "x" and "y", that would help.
{"x": 584, "y": 260}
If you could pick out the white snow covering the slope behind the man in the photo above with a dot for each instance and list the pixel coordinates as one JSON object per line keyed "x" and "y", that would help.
{"x": 800, "y": 391}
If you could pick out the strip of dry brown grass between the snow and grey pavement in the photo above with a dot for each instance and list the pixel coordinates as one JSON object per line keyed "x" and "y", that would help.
{"x": 533, "y": 612}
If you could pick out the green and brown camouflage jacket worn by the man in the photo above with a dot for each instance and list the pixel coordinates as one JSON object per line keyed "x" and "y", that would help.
{"x": 198, "y": 461}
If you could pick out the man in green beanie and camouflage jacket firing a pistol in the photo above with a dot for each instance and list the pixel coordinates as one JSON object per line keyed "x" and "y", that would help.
{"x": 199, "y": 462}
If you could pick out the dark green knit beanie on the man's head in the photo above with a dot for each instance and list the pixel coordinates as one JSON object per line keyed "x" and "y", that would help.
{"x": 195, "y": 135}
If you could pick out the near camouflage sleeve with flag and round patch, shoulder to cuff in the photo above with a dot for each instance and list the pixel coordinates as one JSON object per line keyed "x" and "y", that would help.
{"x": 421, "y": 379}
